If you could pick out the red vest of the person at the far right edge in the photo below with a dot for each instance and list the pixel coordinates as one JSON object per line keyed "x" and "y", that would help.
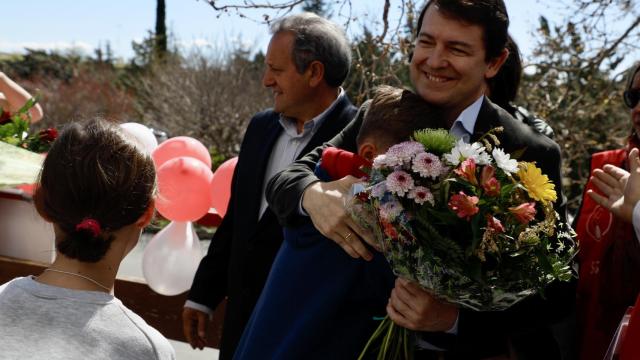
{"x": 609, "y": 268}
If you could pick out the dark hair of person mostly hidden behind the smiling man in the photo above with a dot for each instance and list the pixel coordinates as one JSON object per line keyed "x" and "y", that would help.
{"x": 503, "y": 87}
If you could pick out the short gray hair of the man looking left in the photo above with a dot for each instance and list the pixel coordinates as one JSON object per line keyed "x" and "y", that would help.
{"x": 317, "y": 39}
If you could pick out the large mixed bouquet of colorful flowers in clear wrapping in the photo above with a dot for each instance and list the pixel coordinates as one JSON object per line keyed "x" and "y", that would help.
{"x": 467, "y": 222}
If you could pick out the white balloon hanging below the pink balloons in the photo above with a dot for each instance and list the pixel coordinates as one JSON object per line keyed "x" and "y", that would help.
{"x": 171, "y": 259}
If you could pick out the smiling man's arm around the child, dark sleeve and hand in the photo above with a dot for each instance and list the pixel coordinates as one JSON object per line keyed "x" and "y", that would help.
{"x": 324, "y": 202}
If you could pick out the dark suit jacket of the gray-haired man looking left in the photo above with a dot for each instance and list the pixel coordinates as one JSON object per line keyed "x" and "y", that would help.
{"x": 244, "y": 246}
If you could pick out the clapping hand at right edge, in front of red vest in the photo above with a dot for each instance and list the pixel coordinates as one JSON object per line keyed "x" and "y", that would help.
{"x": 621, "y": 189}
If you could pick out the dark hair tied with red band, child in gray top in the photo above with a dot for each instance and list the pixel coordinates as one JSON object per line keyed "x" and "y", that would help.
{"x": 94, "y": 170}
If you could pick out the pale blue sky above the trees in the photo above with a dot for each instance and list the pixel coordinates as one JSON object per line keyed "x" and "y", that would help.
{"x": 63, "y": 24}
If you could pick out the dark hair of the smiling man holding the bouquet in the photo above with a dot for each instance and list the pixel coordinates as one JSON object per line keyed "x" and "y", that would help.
{"x": 490, "y": 15}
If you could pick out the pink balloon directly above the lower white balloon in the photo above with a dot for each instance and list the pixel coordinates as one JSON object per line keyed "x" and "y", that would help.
{"x": 184, "y": 189}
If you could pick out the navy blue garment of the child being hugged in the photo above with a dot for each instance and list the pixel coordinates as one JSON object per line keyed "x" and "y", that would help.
{"x": 318, "y": 302}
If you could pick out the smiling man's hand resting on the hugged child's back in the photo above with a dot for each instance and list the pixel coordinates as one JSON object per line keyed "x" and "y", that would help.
{"x": 325, "y": 204}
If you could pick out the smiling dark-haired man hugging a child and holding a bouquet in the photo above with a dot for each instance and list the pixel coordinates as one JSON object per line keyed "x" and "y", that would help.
{"x": 460, "y": 44}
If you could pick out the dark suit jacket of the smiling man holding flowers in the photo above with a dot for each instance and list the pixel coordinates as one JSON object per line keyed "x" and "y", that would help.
{"x": 525, "y": 328}
